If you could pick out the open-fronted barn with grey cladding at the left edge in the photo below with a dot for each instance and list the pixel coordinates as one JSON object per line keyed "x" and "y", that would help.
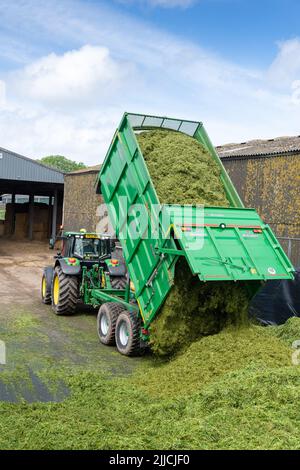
{"x": 31, "y": 197}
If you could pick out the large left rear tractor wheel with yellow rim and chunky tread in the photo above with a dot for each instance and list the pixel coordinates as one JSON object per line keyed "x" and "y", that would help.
{"x": 64, "y": 293}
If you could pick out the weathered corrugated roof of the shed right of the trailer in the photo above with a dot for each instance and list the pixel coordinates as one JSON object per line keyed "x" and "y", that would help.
{"x": 277, "y": 146}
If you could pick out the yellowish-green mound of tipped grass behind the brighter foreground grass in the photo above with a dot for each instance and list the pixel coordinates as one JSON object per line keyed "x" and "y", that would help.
{"x": 214, "y": 356}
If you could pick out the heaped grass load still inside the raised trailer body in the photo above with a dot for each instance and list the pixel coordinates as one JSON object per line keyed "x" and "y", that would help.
{"x": 182, "y": 170}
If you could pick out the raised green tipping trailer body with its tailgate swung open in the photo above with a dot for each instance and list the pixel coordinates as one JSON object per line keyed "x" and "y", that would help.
{"x": 228, "y": 244}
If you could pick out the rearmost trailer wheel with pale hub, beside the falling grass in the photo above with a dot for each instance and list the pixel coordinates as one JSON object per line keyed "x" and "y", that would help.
{"x": 127, "y": 334}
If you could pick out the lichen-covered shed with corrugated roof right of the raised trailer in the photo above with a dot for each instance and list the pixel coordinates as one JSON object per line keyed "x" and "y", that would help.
{"x": 266, "y": 174}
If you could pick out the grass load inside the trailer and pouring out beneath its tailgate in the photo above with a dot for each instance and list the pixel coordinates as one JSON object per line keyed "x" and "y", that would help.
{"x": 184, "y": 172}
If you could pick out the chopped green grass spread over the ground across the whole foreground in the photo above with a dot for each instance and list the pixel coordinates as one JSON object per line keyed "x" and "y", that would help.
{"x": 235, "y": 390}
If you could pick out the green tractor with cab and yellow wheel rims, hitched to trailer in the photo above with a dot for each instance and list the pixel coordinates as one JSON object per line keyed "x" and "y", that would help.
{"x": 86, "y": 259}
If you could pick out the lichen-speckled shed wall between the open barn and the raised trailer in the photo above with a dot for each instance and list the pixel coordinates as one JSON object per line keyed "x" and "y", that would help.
{"x": 81, "y": 202}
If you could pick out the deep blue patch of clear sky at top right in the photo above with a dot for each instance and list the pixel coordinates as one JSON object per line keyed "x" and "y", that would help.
{"x": 239, "y": 30}
